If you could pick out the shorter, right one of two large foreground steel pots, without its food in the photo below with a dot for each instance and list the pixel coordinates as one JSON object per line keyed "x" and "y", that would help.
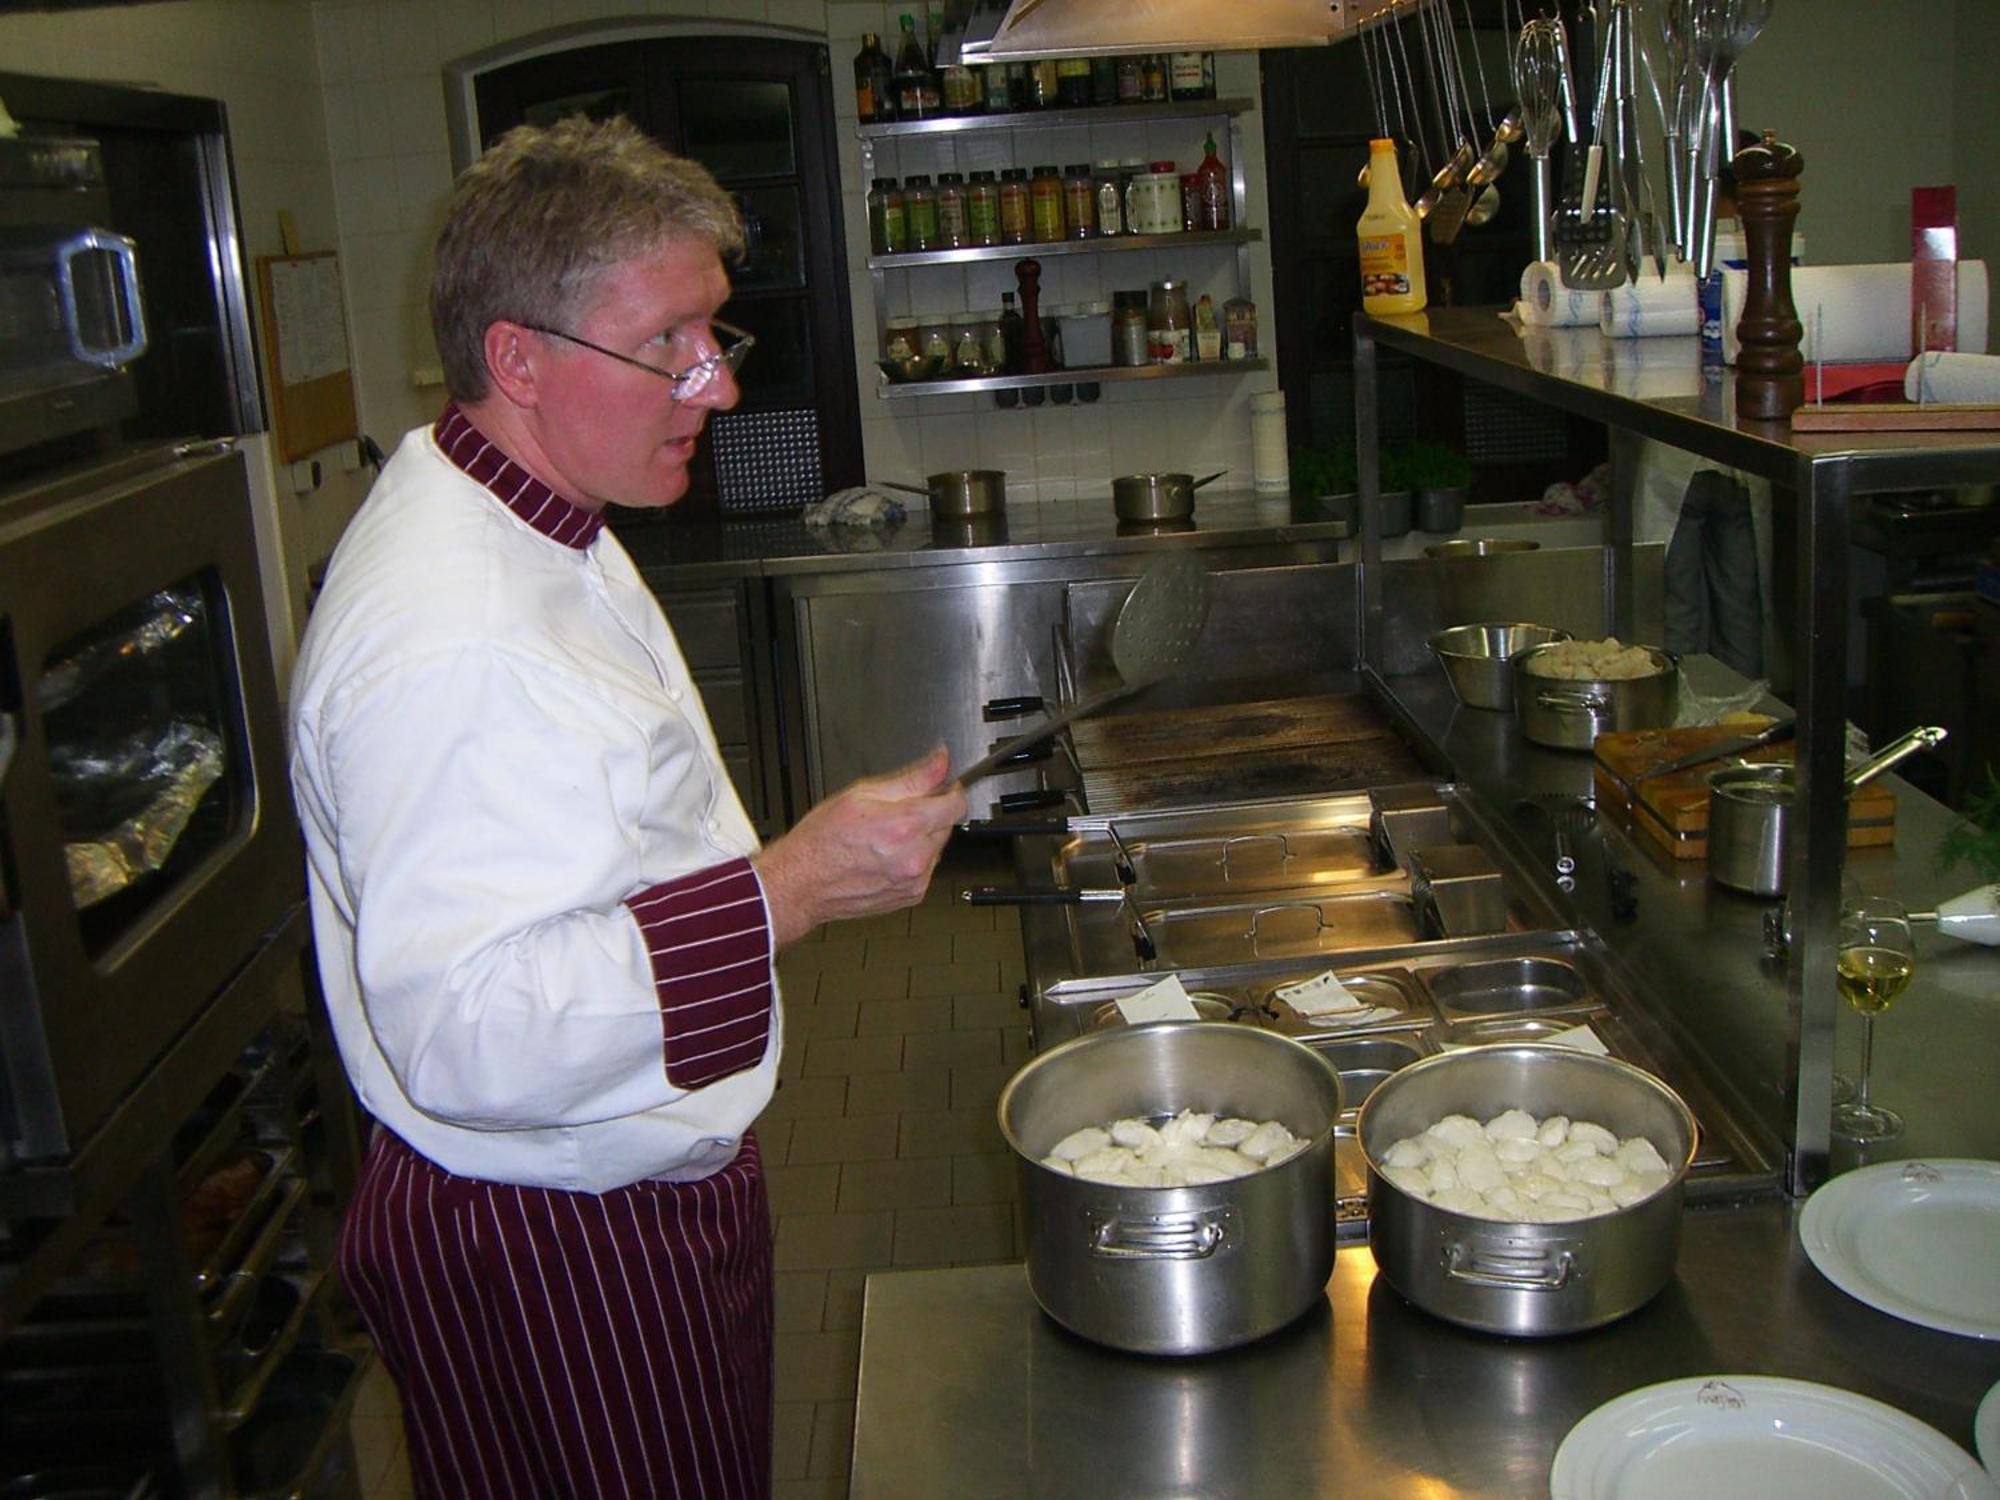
{"x": 1525, "y": 1279}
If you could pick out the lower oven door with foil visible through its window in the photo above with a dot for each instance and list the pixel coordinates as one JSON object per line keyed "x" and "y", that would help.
{"x": 147, "y": 839}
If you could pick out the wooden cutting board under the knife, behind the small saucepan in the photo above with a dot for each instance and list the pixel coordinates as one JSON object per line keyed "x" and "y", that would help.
{"x": 1673, "y": 811}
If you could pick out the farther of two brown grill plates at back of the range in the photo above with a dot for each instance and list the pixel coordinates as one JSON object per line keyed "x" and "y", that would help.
{"x": 1225, "y": 729}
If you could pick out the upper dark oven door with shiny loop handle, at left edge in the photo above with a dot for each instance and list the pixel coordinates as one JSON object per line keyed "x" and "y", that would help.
{"x": 71, "y": 313}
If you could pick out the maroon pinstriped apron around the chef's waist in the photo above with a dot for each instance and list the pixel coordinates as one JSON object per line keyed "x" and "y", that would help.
{"x": 567, "y": 1345}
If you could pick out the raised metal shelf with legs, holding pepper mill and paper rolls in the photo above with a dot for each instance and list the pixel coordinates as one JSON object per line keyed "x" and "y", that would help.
{"x": 1815, "y": 481}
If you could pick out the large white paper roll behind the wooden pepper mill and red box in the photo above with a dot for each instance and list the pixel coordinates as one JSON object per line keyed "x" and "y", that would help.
{"x": 1861, "y": 313}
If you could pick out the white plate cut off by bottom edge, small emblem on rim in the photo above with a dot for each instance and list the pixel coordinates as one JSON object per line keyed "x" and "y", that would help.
{"x": 1759, "y": 1439}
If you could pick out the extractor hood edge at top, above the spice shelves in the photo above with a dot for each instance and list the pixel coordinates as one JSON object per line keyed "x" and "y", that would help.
{"x": 1043, "y": 29}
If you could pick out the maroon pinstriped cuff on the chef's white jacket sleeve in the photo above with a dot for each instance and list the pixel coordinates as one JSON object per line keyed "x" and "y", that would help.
{"x": 709, "y": 943}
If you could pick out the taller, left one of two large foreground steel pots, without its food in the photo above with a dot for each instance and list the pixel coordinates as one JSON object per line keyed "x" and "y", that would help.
{"x": 1177, "y": 1271}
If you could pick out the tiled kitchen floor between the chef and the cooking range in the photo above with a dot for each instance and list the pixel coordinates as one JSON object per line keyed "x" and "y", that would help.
{"x": 883, "y": 1151}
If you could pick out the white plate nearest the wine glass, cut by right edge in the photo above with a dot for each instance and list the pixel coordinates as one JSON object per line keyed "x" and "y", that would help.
{"x": 1913, "y": 1239}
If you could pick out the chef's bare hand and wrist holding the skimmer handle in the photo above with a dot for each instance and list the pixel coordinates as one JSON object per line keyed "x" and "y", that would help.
{"x": 869, "y": 849}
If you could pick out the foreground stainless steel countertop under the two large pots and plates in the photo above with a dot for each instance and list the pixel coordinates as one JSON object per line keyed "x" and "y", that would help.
{"x": 969, "y": 1391}
